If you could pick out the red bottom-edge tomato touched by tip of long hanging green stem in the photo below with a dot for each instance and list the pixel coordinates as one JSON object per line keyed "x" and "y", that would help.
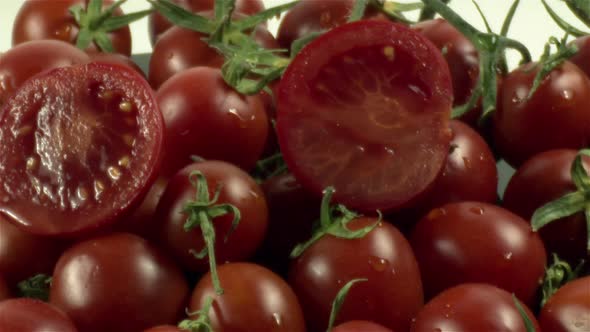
{"x": 255, "y": 299}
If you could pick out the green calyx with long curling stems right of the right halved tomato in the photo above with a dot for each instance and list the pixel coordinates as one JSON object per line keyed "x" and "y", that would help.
{"x": 491, "y": 48}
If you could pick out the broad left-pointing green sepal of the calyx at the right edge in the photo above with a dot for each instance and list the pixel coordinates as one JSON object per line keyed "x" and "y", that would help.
{"x": 562, "y": 207}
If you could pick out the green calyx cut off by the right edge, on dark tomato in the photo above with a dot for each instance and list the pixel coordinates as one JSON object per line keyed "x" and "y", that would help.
{"x": 571, "y": 203}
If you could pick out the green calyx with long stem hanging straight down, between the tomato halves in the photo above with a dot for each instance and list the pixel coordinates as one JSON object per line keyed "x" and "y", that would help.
{"x": 201, "y": 213}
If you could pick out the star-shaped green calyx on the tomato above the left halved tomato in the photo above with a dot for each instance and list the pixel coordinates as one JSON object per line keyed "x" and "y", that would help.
{"x": 95, "y": 23}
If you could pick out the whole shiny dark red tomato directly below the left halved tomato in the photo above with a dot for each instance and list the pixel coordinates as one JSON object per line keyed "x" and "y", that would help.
{"x": 118, "y": 282}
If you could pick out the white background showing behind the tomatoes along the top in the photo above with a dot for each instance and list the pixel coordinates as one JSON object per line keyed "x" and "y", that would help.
{"x": 531, "y": 25}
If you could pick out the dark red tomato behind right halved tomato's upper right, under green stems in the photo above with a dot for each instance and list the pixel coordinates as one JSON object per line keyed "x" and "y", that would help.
{"x": 462, "y": 58}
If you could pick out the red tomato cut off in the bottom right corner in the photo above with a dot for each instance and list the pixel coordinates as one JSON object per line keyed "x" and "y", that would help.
{"x": 568, "y": 309}
